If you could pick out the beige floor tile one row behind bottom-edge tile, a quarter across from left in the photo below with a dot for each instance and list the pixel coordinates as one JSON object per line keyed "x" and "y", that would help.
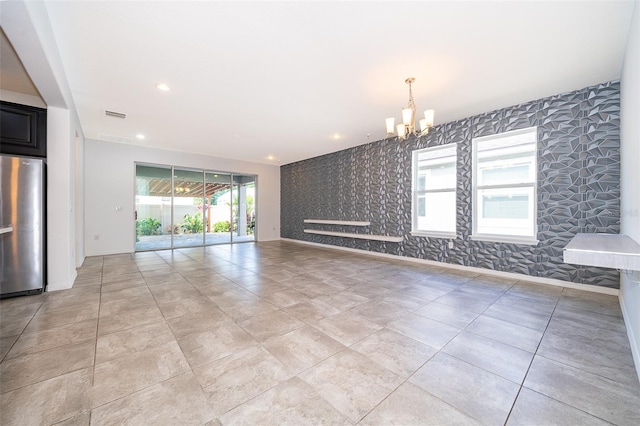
{"x": 127, "y": 374}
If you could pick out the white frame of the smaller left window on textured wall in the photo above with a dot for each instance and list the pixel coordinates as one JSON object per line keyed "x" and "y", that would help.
{"x": 415, "y": 193}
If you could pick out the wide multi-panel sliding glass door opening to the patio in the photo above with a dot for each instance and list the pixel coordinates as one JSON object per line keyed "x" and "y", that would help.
{"x": 181, "y": 207}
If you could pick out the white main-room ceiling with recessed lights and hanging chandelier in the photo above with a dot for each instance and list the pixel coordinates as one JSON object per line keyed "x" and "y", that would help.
{"x": 277, "y": 82}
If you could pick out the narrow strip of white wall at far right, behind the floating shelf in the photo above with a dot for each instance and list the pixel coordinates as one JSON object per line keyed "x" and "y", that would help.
{"x": 630, "y": 179}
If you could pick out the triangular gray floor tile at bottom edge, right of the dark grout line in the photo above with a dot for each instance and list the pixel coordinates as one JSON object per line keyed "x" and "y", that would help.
{"x": 532, "y": 407}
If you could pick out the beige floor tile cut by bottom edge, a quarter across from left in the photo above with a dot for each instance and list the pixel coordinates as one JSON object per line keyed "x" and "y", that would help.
{"x": 179, "y": 400}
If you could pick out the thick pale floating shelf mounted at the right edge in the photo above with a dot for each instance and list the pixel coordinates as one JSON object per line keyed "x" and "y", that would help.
{"x": 604, "y": 250}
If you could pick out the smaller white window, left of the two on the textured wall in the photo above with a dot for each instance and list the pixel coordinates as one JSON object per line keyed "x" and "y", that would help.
{"x": 434, "y": 191}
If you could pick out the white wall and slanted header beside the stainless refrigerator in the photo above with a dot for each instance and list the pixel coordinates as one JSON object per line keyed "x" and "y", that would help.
{"x": 27, "y": 27}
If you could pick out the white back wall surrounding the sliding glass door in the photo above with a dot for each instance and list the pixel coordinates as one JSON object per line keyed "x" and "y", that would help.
{"x": 110, "y": 183}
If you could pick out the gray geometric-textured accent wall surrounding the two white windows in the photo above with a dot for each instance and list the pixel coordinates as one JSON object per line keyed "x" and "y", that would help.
{"x": 578, "y": 187}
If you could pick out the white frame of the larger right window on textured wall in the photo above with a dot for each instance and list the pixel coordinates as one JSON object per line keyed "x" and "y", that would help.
{"x": 532, "y": 185}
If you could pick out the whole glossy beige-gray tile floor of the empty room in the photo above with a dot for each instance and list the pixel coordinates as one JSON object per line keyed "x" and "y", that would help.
{"x": 282, "y": 333}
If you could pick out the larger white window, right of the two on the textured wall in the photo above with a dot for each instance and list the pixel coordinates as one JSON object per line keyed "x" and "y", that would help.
{"x": 504, "y": 187}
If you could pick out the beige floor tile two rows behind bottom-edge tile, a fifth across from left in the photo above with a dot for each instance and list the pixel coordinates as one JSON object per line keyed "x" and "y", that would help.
{"x": 127, "y": 342}
